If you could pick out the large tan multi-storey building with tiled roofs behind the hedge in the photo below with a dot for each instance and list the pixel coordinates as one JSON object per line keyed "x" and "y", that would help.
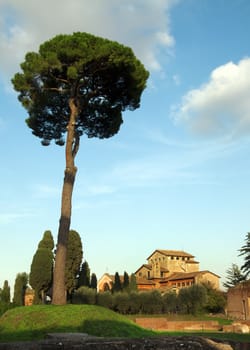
{"x": 172, "y": 269}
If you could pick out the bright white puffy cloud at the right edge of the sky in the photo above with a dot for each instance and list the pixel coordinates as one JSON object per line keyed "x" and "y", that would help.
{"x": 222, "y": 105}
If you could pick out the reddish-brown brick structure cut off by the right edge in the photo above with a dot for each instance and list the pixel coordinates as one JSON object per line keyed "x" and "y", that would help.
{"x": 238, "y": 301}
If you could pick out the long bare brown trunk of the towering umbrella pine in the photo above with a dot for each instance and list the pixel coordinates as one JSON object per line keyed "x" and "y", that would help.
{"x": 59, "y": 291}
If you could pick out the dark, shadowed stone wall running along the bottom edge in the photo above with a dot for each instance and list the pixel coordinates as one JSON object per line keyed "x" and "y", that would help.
{"x": 79, "y": 341}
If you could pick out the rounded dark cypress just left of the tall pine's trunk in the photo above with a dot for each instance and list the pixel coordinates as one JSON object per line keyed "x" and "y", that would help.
{"x": 41, "y": 270}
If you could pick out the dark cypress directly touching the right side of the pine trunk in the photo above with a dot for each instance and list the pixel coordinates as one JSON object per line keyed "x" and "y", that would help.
{"x": 73, "y": 262}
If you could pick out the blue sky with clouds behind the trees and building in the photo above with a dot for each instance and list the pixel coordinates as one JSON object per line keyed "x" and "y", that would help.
{"x": 176, "y": 176}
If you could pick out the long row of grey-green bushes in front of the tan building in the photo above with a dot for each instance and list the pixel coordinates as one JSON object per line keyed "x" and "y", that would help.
{"x": 192, "y": 300}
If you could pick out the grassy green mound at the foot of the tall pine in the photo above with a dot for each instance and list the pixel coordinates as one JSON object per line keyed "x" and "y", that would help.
{"x": 34, "y": 322}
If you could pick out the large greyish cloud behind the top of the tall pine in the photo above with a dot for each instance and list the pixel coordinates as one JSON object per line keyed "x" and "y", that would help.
{"x": 141, "y": 24}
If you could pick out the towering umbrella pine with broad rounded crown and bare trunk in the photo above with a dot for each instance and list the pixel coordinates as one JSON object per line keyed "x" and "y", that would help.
{"x": 77, "y": 84}
